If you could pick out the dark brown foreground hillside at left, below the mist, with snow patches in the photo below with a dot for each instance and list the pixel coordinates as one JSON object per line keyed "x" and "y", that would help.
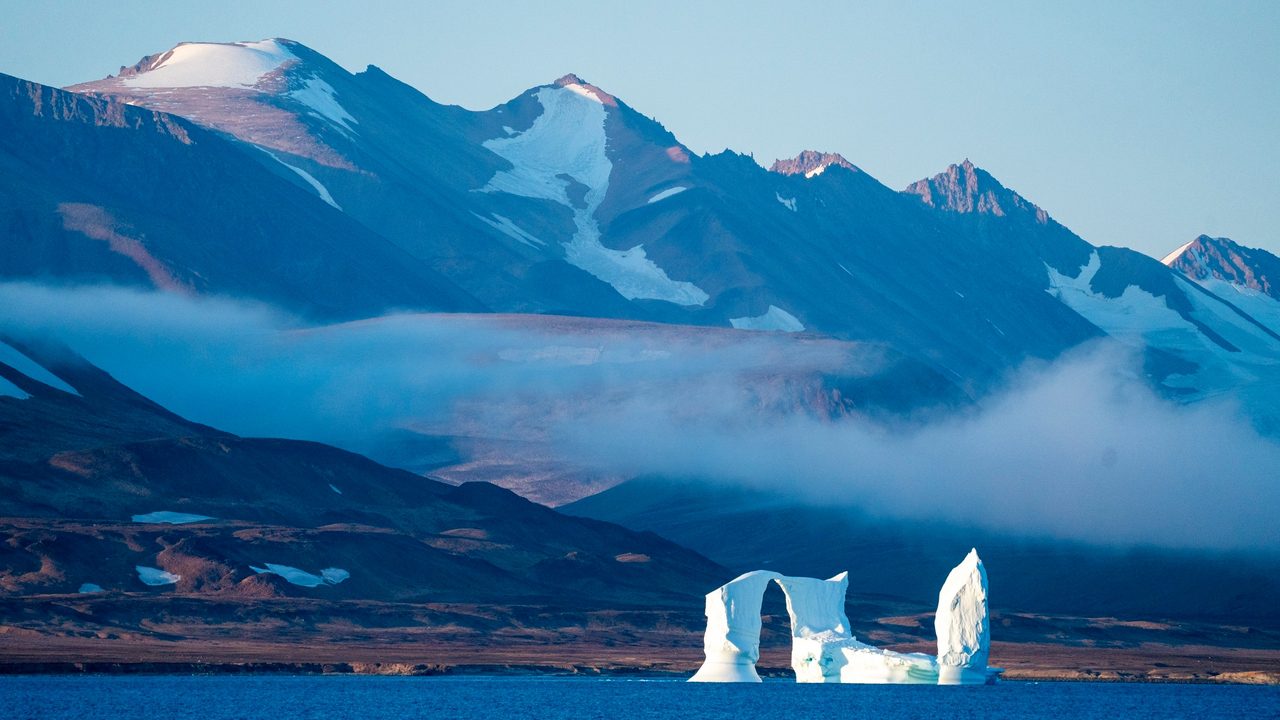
{"x": 104, "y": 491}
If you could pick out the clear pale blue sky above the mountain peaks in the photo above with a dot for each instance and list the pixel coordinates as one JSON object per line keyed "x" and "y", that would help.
{"x": 1135, "y": 124}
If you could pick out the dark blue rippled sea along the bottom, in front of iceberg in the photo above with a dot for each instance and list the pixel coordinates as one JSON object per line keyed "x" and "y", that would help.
{"x": 100, "y": 698}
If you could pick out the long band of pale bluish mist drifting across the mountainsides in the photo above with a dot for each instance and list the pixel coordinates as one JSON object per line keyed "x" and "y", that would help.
{"x": 1080, "y": 449}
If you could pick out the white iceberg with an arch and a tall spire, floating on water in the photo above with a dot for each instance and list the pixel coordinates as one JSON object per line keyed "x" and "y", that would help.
{"x": 822, "y": 648}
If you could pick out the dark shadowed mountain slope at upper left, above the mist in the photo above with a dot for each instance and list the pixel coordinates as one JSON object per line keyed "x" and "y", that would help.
{"x": 95, "y": 190}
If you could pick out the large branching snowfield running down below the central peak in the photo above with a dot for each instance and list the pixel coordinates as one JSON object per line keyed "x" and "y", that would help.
{"x": 569, "y": 140}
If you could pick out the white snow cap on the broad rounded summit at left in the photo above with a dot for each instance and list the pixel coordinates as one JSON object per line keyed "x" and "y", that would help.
{"x": 214, "y": 65}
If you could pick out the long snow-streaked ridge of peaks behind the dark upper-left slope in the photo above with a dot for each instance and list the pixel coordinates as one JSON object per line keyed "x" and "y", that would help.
{"x": 566, "y": 200}
